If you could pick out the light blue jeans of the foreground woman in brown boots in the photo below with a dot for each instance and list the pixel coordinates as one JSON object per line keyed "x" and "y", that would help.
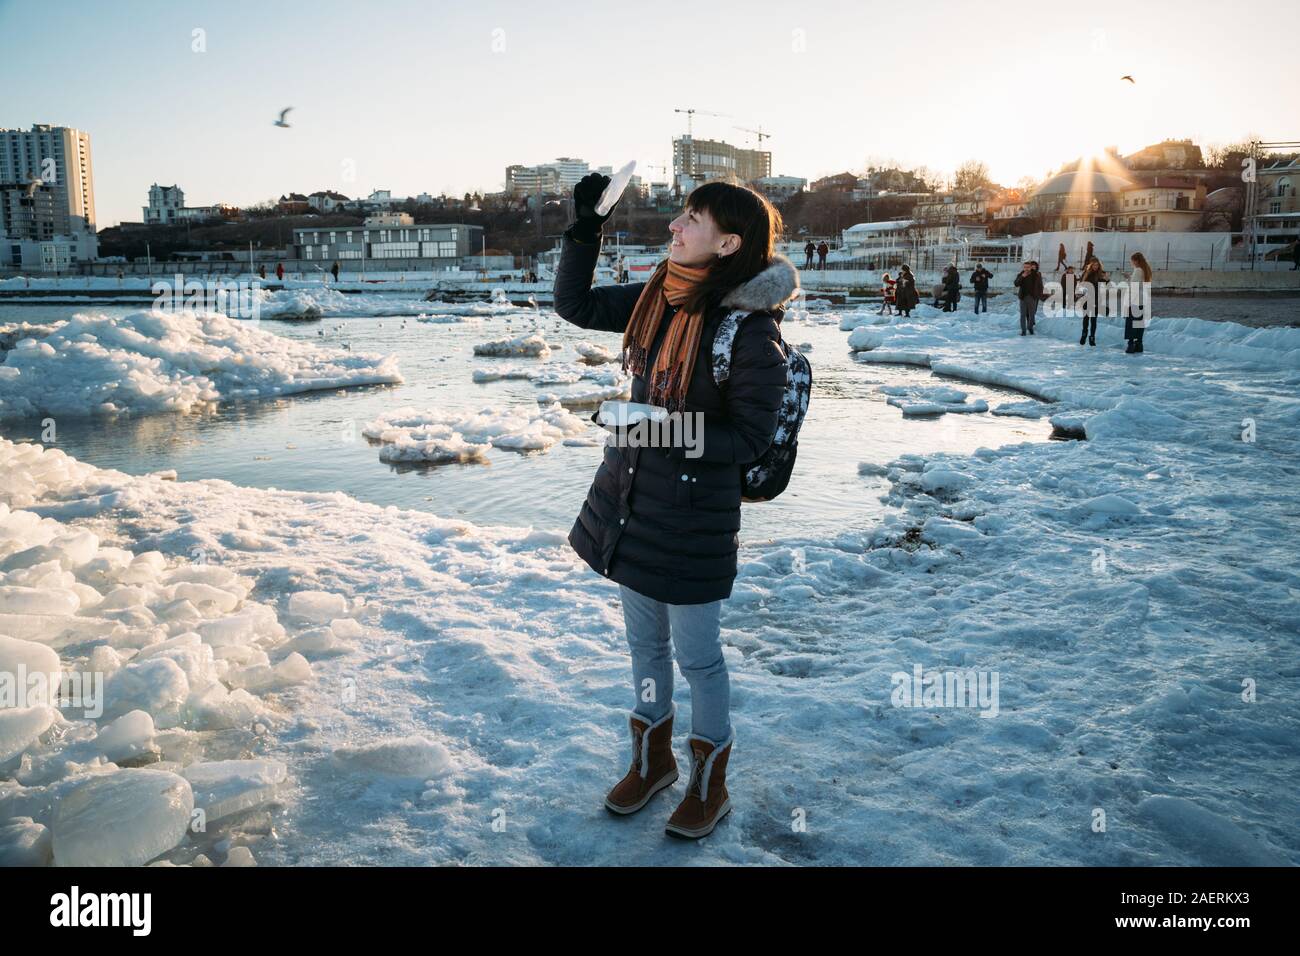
{"x": 695, "y": 631}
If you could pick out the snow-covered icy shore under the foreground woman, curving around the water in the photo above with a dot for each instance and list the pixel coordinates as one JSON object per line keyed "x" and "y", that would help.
{"x": 1134, "y": 594}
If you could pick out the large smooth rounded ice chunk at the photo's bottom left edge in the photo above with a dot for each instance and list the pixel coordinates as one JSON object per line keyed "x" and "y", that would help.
{"x": 122, "y": 819}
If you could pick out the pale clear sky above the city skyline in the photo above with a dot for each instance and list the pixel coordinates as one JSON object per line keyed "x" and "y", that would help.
{"x": 443, "y": 97}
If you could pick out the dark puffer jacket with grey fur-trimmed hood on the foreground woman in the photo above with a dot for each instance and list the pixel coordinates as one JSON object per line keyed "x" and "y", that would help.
{"x": 662, "y": 524}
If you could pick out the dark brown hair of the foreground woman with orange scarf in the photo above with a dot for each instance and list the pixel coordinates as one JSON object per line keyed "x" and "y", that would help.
{"x": 747, "y": 214}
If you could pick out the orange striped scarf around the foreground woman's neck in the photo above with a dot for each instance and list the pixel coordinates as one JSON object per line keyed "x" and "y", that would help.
{"x": 670, "y": 378}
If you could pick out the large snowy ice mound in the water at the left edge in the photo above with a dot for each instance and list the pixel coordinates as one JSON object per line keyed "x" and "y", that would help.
{"x": 144, "y": 364}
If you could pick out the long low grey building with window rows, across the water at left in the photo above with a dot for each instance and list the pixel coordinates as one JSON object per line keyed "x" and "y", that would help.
{"x": 389, "y": 236}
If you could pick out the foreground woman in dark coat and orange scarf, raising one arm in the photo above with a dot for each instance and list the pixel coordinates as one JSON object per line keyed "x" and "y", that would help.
{"x": 664, "y": 522}
